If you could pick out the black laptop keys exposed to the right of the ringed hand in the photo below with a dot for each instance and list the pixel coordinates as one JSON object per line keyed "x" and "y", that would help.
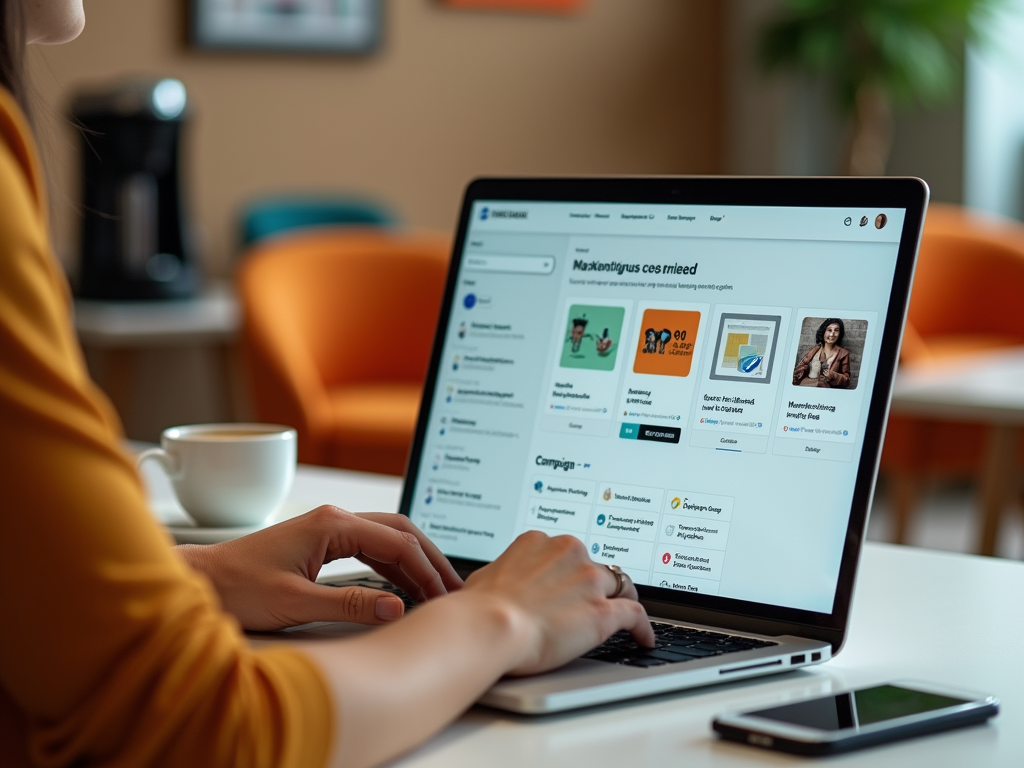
{"x": 672, "y": 646}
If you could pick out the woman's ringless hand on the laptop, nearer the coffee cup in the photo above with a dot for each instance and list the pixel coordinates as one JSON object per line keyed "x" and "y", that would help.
{"x": 268, "y": 580}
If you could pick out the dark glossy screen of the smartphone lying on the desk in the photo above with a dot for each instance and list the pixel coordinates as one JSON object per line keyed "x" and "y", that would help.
{"x": 856, "y": 709}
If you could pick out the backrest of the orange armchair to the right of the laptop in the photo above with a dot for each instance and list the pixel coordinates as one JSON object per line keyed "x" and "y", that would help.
{"x": 970, "y": 278}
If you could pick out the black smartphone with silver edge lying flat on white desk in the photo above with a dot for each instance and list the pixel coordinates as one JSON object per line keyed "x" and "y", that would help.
{"x": 850, "y": 720}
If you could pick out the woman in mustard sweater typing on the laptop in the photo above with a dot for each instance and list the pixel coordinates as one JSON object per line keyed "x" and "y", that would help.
{"x": 117, "y": 650}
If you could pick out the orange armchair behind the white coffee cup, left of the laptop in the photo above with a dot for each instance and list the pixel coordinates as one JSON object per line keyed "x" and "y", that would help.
{"x": 337, "y": 332}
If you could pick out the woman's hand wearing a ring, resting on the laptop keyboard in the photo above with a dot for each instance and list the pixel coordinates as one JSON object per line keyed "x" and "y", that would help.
{"x": 562, "y": 600}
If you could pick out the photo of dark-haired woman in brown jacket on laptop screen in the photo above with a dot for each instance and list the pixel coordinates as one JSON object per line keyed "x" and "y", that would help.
{"x": 830, "y": 353}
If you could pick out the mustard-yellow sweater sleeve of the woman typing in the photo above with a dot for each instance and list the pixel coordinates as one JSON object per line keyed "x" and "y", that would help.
{"x": 112, "y": 651}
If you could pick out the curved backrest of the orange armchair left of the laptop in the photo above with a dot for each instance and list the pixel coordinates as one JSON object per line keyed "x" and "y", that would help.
{"x": 326, "y": 309}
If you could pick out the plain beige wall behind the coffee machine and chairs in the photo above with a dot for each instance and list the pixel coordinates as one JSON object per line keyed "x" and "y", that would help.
{"x": 628, "y": 87}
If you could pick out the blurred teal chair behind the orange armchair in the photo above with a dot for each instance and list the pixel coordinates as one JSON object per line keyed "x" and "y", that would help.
{"x": 275, "y": 216}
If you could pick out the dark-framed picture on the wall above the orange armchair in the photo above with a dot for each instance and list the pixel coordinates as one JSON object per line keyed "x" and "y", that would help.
{"x": 288, "y": 26}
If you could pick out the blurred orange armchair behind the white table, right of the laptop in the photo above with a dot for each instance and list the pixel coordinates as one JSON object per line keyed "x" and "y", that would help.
{"x": 967, "y": 300}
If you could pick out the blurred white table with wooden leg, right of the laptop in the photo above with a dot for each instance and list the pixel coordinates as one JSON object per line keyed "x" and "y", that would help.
{"x": 987, "y": 389}
